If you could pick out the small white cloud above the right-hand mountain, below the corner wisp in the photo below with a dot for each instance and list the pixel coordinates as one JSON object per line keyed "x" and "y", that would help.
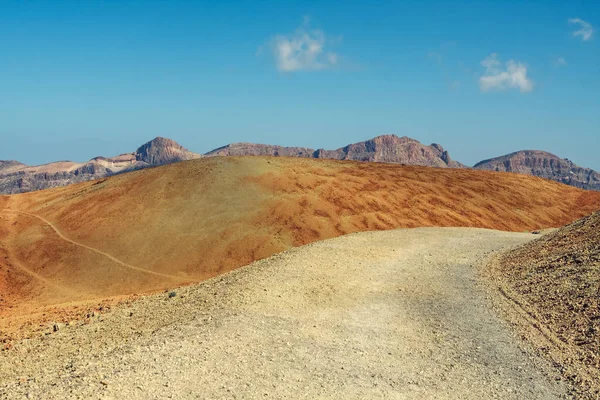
{"x": 513, "y": 75}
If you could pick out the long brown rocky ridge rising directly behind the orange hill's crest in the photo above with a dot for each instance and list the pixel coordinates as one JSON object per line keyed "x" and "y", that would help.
{"x": 386, "y": 148}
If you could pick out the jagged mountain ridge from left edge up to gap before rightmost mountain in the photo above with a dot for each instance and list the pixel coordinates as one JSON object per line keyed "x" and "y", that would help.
{"x": 19, "y": 178}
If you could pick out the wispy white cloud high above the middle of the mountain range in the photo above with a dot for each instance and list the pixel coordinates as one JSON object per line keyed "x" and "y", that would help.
{"x": 304, "y": 50}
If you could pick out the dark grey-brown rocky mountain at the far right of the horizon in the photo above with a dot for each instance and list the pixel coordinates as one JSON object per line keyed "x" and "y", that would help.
{"x": 545, "y": 165}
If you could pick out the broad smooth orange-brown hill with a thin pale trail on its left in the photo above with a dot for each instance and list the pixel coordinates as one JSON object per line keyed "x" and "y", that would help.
{"x": 162, "y": 227}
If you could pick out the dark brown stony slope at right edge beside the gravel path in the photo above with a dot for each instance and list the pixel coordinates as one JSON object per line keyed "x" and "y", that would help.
{"x": 557, "y": 280}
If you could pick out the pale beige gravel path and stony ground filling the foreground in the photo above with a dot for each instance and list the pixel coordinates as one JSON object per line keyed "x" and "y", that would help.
{"x": 395, "y": 314}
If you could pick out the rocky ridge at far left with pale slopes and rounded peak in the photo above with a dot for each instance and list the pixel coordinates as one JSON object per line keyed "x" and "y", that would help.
{"x": 19, "y": 178}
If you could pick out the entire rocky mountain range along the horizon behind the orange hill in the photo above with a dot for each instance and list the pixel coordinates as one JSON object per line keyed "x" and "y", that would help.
{"x": 16, "y": 177}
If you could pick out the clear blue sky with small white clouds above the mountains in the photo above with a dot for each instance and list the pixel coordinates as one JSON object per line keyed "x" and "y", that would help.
{"x": 85, "y": 78}
